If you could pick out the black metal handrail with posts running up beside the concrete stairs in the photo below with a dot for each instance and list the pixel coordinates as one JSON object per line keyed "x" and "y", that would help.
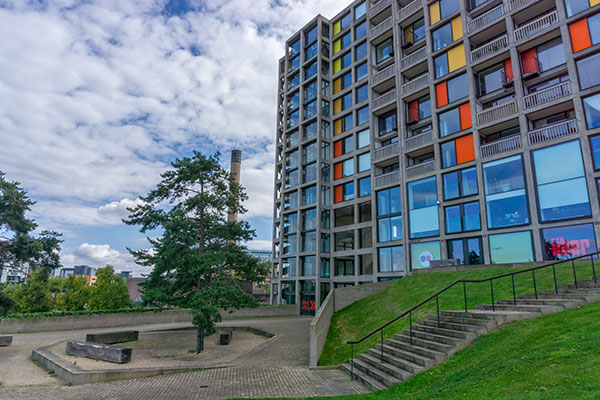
{"x": 464, "y": 283}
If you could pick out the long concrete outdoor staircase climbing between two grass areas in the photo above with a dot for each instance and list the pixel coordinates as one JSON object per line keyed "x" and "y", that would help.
{"x": 434, "y": 341}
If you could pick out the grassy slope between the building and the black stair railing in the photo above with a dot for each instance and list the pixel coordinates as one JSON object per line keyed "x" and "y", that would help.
{"x": 360, "y": 318}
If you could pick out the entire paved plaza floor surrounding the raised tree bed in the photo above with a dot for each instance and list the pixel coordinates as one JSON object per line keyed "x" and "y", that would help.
{"x": 277, "y": 368}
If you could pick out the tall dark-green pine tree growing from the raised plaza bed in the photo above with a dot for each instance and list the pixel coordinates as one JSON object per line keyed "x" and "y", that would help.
{"x": 198, "y": 262}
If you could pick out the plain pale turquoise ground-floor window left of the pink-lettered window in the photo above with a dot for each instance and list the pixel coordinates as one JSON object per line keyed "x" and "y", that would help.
{"x": 506, "y": 248}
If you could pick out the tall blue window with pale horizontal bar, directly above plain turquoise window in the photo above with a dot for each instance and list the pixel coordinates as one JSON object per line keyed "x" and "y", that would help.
{"x": 505, "y": 196}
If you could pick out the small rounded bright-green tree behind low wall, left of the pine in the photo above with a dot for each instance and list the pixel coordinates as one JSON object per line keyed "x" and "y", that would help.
{"x": 109, "y": 292}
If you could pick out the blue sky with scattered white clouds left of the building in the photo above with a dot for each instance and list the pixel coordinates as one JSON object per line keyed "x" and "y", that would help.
{"x": 98, "y": 97}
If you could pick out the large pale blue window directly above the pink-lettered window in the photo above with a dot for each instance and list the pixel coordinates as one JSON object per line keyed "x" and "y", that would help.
{"x": 561, "y": 186}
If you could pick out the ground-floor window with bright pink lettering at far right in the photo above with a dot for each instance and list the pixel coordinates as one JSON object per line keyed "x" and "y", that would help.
{"x": 568, "y": 241}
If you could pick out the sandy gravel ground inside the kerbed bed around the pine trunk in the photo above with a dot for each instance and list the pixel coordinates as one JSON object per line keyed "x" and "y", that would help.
{"x": 172, "y": 349}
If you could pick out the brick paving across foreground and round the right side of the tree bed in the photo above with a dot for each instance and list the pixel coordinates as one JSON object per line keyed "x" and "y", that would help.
{"x": 277, "y": 369}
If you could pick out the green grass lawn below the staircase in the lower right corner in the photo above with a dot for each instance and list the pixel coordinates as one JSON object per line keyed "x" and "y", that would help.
{"x": 551, "y": 357}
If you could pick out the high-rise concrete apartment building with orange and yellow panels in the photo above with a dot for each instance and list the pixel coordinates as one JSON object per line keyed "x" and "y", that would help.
{"x": 447, "y": 129}
